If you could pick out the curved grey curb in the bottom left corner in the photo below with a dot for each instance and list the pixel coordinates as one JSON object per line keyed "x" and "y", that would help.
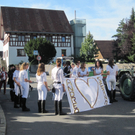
{"x": 2, "y": 122}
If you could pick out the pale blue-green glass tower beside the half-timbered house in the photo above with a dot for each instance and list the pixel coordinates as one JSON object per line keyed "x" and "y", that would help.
{"x": 79, "y": 28}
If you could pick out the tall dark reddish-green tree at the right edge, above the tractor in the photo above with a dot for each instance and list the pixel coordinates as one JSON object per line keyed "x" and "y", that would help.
{"x": 124, "y": 35}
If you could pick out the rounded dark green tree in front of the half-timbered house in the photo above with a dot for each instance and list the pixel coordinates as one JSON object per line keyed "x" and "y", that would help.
{"x": 45, "y": 49}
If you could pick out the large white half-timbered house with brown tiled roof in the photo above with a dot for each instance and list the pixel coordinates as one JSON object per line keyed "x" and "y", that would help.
{"x": 19, "y": 25}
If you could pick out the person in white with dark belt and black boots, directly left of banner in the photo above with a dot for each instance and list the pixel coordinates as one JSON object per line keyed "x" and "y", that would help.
{"x": 57, "y": 76}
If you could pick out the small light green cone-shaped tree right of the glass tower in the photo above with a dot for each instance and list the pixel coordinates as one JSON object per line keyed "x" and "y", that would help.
{"x": 89, "y": 49}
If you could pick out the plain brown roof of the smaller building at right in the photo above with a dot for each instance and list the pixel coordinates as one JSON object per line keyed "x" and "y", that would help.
{"x": 106, "y": 48}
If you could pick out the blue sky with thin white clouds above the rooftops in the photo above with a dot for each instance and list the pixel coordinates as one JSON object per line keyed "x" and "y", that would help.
{"x": 102, "y": 16}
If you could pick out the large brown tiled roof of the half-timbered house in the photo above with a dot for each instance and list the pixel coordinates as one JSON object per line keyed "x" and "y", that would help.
{"x": 35, "y": 20}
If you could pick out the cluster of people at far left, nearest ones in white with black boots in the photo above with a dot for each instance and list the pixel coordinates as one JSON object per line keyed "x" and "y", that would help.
{"x": 18, "y": 82}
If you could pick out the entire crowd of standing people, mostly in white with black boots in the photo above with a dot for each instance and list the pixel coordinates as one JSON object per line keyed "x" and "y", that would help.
{"x": 18, "y": 80}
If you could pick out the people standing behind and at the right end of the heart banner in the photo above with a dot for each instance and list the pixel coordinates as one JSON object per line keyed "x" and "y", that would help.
{"x": 74, "y": 71}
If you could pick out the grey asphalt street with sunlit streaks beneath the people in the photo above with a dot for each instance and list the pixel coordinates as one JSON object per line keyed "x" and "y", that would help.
{"x": 115, "y": 119}
